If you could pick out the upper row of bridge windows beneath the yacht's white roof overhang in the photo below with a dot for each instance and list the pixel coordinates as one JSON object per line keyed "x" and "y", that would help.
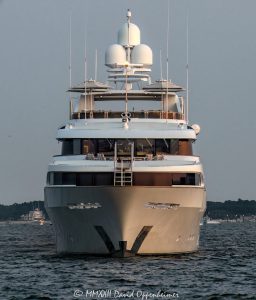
{"x": 140, "y": 147}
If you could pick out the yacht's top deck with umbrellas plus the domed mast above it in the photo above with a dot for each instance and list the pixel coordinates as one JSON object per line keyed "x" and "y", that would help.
{"x": 129, "y": 83}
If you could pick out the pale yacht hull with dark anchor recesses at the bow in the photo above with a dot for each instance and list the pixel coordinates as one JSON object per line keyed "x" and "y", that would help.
{"x": 123, "y": 221}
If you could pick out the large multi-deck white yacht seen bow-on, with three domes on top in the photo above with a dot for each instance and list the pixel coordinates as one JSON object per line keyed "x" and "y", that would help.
{"x": 127, "y": 181}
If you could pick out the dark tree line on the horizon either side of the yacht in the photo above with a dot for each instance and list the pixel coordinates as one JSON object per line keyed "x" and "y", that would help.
{"x": 229, "y": 209}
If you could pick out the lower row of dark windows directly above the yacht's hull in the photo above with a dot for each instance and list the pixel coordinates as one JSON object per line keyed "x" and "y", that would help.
{"x": 138, "y": 179}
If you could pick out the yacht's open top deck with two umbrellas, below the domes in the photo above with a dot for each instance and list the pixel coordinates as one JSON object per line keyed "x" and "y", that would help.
{"x": 157, "y": 101}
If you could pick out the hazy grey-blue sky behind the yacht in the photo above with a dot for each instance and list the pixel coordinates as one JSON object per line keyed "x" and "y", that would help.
{"x": 34, "y": 77}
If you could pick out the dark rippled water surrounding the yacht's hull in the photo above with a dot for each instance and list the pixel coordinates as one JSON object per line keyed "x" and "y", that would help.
{"x": 224, "y": 268}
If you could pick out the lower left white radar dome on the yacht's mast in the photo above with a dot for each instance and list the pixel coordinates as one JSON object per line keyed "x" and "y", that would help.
{"x": 115, "y": 55}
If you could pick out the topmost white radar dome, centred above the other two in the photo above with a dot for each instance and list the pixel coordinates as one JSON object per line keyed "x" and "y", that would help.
{"x": 134, "y": 35}
